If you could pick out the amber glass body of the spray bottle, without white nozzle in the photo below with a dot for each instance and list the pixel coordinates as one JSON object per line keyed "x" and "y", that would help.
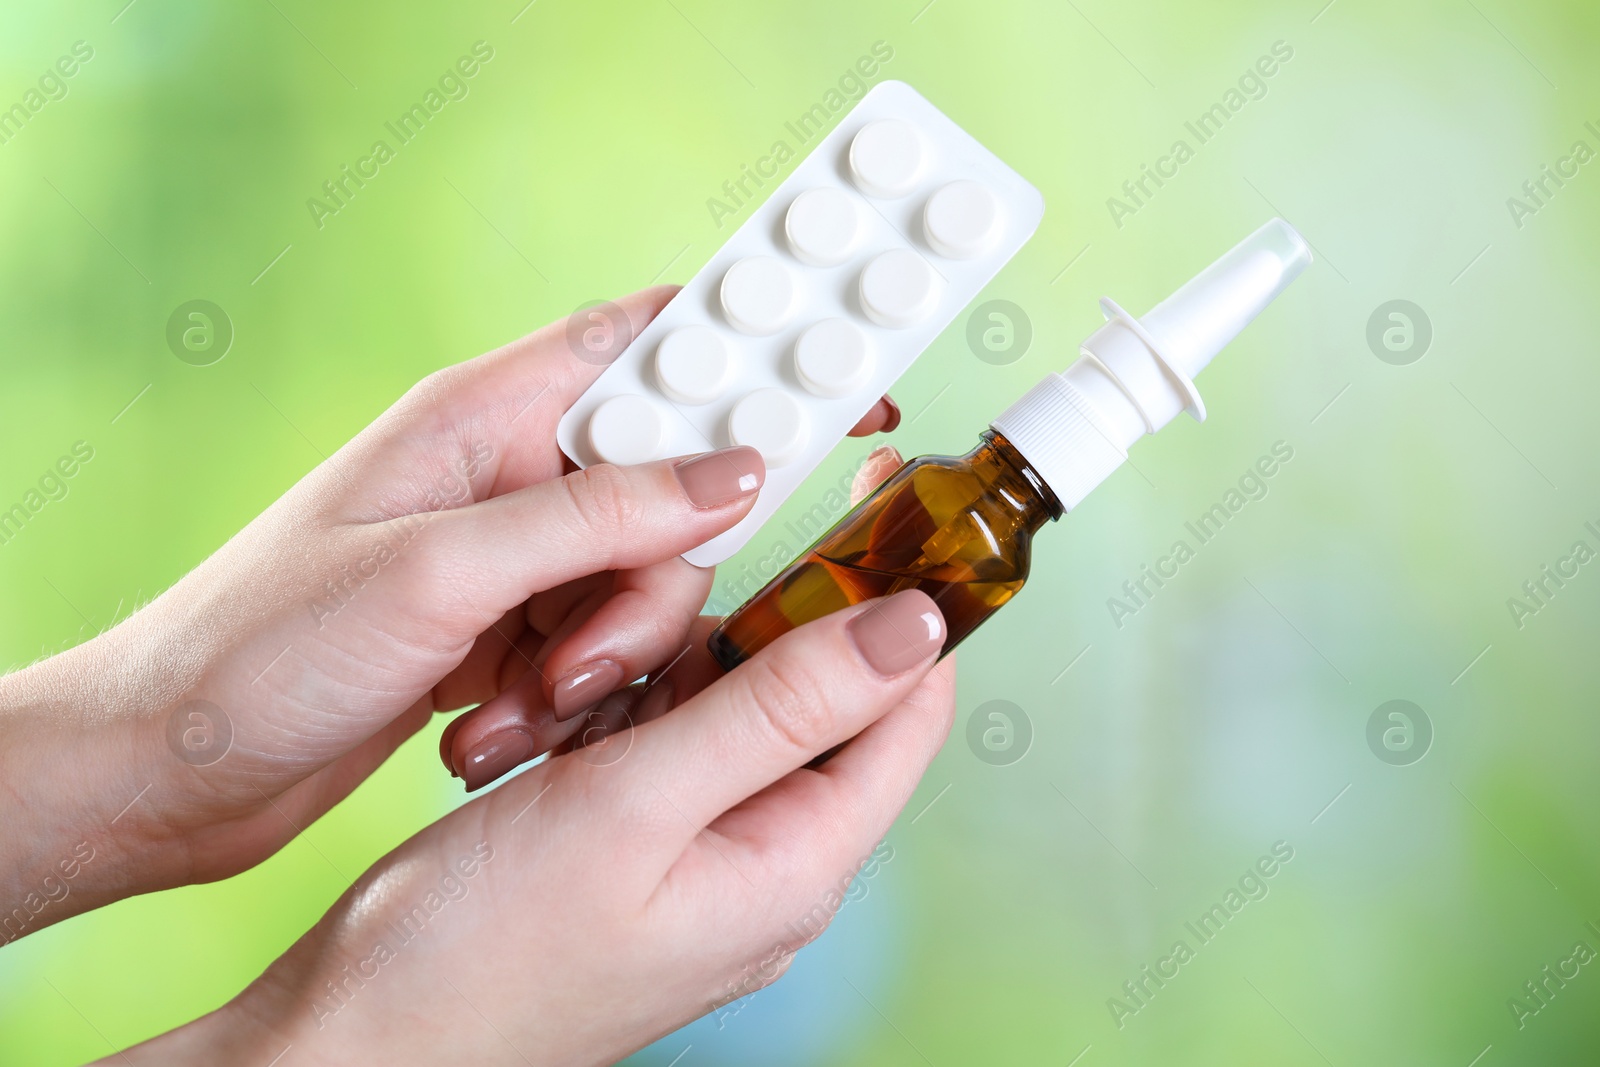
{"x": 956, "y": 527}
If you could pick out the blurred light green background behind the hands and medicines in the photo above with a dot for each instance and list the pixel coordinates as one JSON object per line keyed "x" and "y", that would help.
{"x": 1150, "y": 765}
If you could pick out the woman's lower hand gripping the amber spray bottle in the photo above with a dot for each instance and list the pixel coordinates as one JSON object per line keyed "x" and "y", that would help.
{"x": 614, "y": 893}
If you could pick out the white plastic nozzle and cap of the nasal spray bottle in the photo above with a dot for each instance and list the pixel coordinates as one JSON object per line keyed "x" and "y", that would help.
{"x": 1135, "y": 375}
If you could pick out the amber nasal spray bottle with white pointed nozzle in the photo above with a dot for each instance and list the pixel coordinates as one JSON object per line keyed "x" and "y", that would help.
{"x": 961, "y": 527}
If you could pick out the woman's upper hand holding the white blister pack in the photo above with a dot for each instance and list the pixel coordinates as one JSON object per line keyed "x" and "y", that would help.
{"x": 446, "y": 557}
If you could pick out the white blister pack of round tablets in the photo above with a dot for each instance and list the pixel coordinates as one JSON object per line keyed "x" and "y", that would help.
{"x": 817, "y": 305}
